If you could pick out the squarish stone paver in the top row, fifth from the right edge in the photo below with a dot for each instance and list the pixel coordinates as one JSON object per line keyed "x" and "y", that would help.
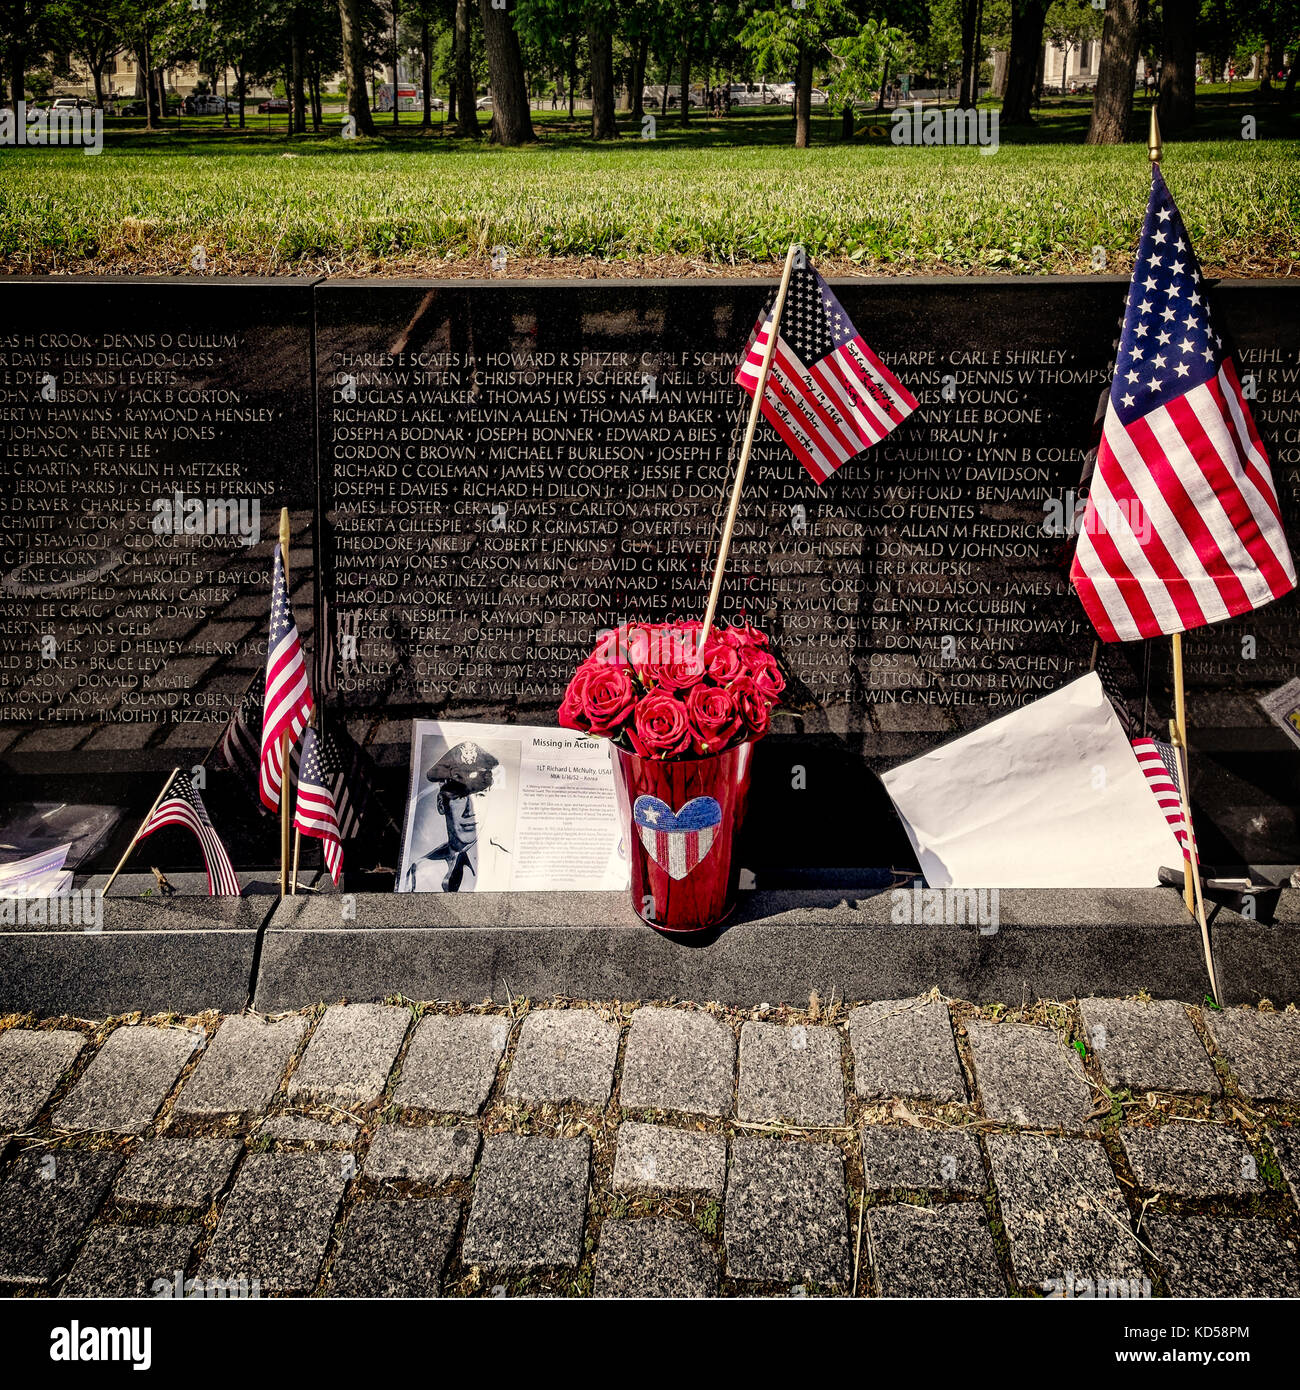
{"x": 792, "y": 1075}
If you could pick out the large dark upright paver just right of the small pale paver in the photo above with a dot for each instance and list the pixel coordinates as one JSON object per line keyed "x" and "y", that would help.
{"x": 786, "y": 1217}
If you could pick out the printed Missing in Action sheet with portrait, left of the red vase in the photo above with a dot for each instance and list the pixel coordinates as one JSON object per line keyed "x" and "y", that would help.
{"x": 547, "y": 822}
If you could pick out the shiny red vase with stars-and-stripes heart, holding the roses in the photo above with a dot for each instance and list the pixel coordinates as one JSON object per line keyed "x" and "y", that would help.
{"x": 681, "y": 824}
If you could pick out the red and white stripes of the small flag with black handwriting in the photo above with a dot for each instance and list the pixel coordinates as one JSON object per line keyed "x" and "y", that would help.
{"x": 832, "y": 411}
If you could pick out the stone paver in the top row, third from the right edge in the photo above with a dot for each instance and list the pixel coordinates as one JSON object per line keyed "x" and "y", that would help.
{"x": 1030, "y": 1075}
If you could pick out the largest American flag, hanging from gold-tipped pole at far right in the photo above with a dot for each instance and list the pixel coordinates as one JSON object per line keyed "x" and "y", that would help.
{"x": 1183, "y": 525}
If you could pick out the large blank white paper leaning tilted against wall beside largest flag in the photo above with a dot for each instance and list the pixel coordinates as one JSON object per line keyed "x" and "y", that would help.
{"x": 1048, "y": 797}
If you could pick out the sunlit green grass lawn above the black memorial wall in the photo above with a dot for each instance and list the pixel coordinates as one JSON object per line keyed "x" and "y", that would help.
{"x": 721, "y": 197}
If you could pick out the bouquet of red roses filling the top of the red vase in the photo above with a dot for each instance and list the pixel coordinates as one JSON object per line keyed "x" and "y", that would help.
{"x": 650, "y": 690}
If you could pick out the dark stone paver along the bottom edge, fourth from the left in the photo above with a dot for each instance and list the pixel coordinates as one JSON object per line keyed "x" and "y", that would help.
{"x": 396, "y": 1250}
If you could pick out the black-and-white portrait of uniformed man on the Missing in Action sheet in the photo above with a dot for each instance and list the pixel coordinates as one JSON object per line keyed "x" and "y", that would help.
{"x": 462, "y": 822}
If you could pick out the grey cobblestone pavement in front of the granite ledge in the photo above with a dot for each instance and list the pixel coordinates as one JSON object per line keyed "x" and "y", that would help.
{"x": 917, "y": 1147}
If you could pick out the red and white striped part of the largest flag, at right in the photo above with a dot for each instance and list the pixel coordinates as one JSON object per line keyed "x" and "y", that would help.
{"x": 1192, "y": 475}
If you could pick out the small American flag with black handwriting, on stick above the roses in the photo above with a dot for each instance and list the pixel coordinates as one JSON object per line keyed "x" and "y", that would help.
{"x": 829, "y": 397}
